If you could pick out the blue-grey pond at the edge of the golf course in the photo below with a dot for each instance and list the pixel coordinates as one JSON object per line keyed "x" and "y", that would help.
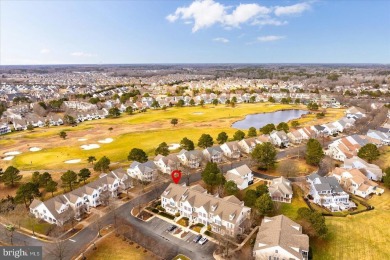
{"x": 260, "y": 120}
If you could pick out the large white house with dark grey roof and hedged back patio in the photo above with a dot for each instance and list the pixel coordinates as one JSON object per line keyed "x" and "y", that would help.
{"x": 326, "y": 192}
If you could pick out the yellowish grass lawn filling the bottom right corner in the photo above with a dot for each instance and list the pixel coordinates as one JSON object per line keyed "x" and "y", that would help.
{"x": 362, "y": 236}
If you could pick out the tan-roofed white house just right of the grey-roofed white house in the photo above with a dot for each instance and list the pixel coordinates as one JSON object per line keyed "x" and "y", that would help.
{"x": 354, "y": 181}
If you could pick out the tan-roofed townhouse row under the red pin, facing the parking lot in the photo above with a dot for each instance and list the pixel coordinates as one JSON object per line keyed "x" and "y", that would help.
{"x": 226, "y": 216}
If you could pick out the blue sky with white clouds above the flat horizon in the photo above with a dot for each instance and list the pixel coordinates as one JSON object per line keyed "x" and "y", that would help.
{"x": 208, "y": 31}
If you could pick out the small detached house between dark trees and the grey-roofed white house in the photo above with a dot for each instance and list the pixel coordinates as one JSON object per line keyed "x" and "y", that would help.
{"x": 280, "y": 189}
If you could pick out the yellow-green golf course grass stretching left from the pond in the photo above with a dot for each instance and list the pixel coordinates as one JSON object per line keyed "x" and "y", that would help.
{"x": 142, "y": 130}
